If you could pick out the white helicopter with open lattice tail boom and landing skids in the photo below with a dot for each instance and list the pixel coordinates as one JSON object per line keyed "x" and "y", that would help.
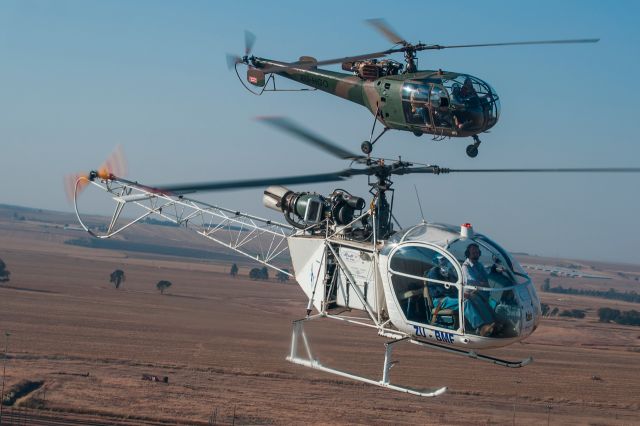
{"x": 438, "y": 286}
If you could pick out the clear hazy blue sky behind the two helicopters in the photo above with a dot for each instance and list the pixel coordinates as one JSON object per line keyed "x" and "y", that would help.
{"x": 78, "y": 77}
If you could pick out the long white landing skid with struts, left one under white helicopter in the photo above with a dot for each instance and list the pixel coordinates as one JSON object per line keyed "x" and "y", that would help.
{"x": 299, "y": 335}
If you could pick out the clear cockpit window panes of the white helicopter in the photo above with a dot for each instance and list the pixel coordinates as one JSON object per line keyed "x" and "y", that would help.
{"x": 486, "y": 300}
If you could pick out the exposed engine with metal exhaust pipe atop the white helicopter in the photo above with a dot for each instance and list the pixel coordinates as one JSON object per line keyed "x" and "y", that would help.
{"x": 305, "y": 209}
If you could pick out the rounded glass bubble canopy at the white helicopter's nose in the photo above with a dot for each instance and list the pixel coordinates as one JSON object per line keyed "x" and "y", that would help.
{"x": 452, "y": 278}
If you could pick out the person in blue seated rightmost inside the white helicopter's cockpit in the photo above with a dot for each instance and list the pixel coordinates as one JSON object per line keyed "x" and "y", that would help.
{"x": 478, "y": 310}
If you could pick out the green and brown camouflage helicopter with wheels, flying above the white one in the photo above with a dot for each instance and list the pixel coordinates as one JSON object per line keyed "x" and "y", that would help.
{"x": 441, "y": 103}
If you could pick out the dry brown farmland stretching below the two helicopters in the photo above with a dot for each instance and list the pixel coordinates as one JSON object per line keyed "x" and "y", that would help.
{"x": 222, "y": 343}
